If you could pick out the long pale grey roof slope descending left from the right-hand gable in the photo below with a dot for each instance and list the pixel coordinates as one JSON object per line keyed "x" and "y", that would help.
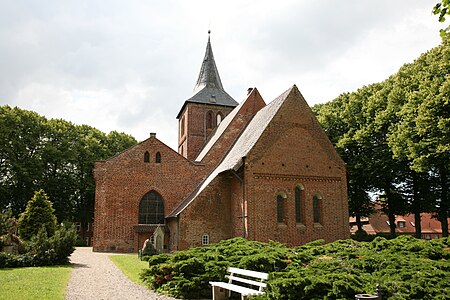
{"x": 235, "y": 157}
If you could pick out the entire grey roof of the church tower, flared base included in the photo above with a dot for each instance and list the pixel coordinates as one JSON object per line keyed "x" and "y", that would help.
{"x": 209, "y": 88}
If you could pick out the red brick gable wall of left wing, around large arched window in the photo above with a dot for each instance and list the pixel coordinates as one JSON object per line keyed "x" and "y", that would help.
{"x": 122, "y": 181}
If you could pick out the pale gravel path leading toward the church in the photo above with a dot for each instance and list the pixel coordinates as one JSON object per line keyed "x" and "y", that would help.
{"x": 95, "y": 276}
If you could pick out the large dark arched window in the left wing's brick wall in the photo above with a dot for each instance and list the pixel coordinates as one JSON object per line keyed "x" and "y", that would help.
{"x": 151, "y": 209}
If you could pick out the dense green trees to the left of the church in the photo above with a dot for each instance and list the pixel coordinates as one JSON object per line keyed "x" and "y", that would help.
{"x": 54, "y": 155}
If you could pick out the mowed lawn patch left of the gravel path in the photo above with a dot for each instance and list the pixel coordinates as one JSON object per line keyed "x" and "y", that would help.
{"x": 34, "y": 283}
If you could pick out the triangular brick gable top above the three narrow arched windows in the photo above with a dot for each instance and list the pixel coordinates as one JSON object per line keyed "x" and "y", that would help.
{"x": 295, "y": 133}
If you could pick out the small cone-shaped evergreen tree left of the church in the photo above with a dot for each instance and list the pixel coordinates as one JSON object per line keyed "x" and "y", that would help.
{"x": 38, "y": 213}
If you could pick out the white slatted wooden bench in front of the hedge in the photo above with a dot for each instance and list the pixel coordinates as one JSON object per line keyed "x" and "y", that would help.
{"x": 222, "y": 290}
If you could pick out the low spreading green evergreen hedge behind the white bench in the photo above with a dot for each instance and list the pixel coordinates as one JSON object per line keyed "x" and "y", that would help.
{"x": 405, "y": 268}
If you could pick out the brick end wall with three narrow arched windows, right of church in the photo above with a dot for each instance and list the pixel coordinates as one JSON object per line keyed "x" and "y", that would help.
{"x": 295, "y": 178}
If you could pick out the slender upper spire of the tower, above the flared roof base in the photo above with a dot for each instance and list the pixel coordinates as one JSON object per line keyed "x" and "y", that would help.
{"x": 209, "y": 75}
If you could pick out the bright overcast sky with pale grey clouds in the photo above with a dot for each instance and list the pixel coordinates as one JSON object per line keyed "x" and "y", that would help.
{"x": 130, "y": 65}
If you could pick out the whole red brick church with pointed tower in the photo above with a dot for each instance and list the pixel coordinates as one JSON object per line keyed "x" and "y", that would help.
{"x": 250, "y": 169}
